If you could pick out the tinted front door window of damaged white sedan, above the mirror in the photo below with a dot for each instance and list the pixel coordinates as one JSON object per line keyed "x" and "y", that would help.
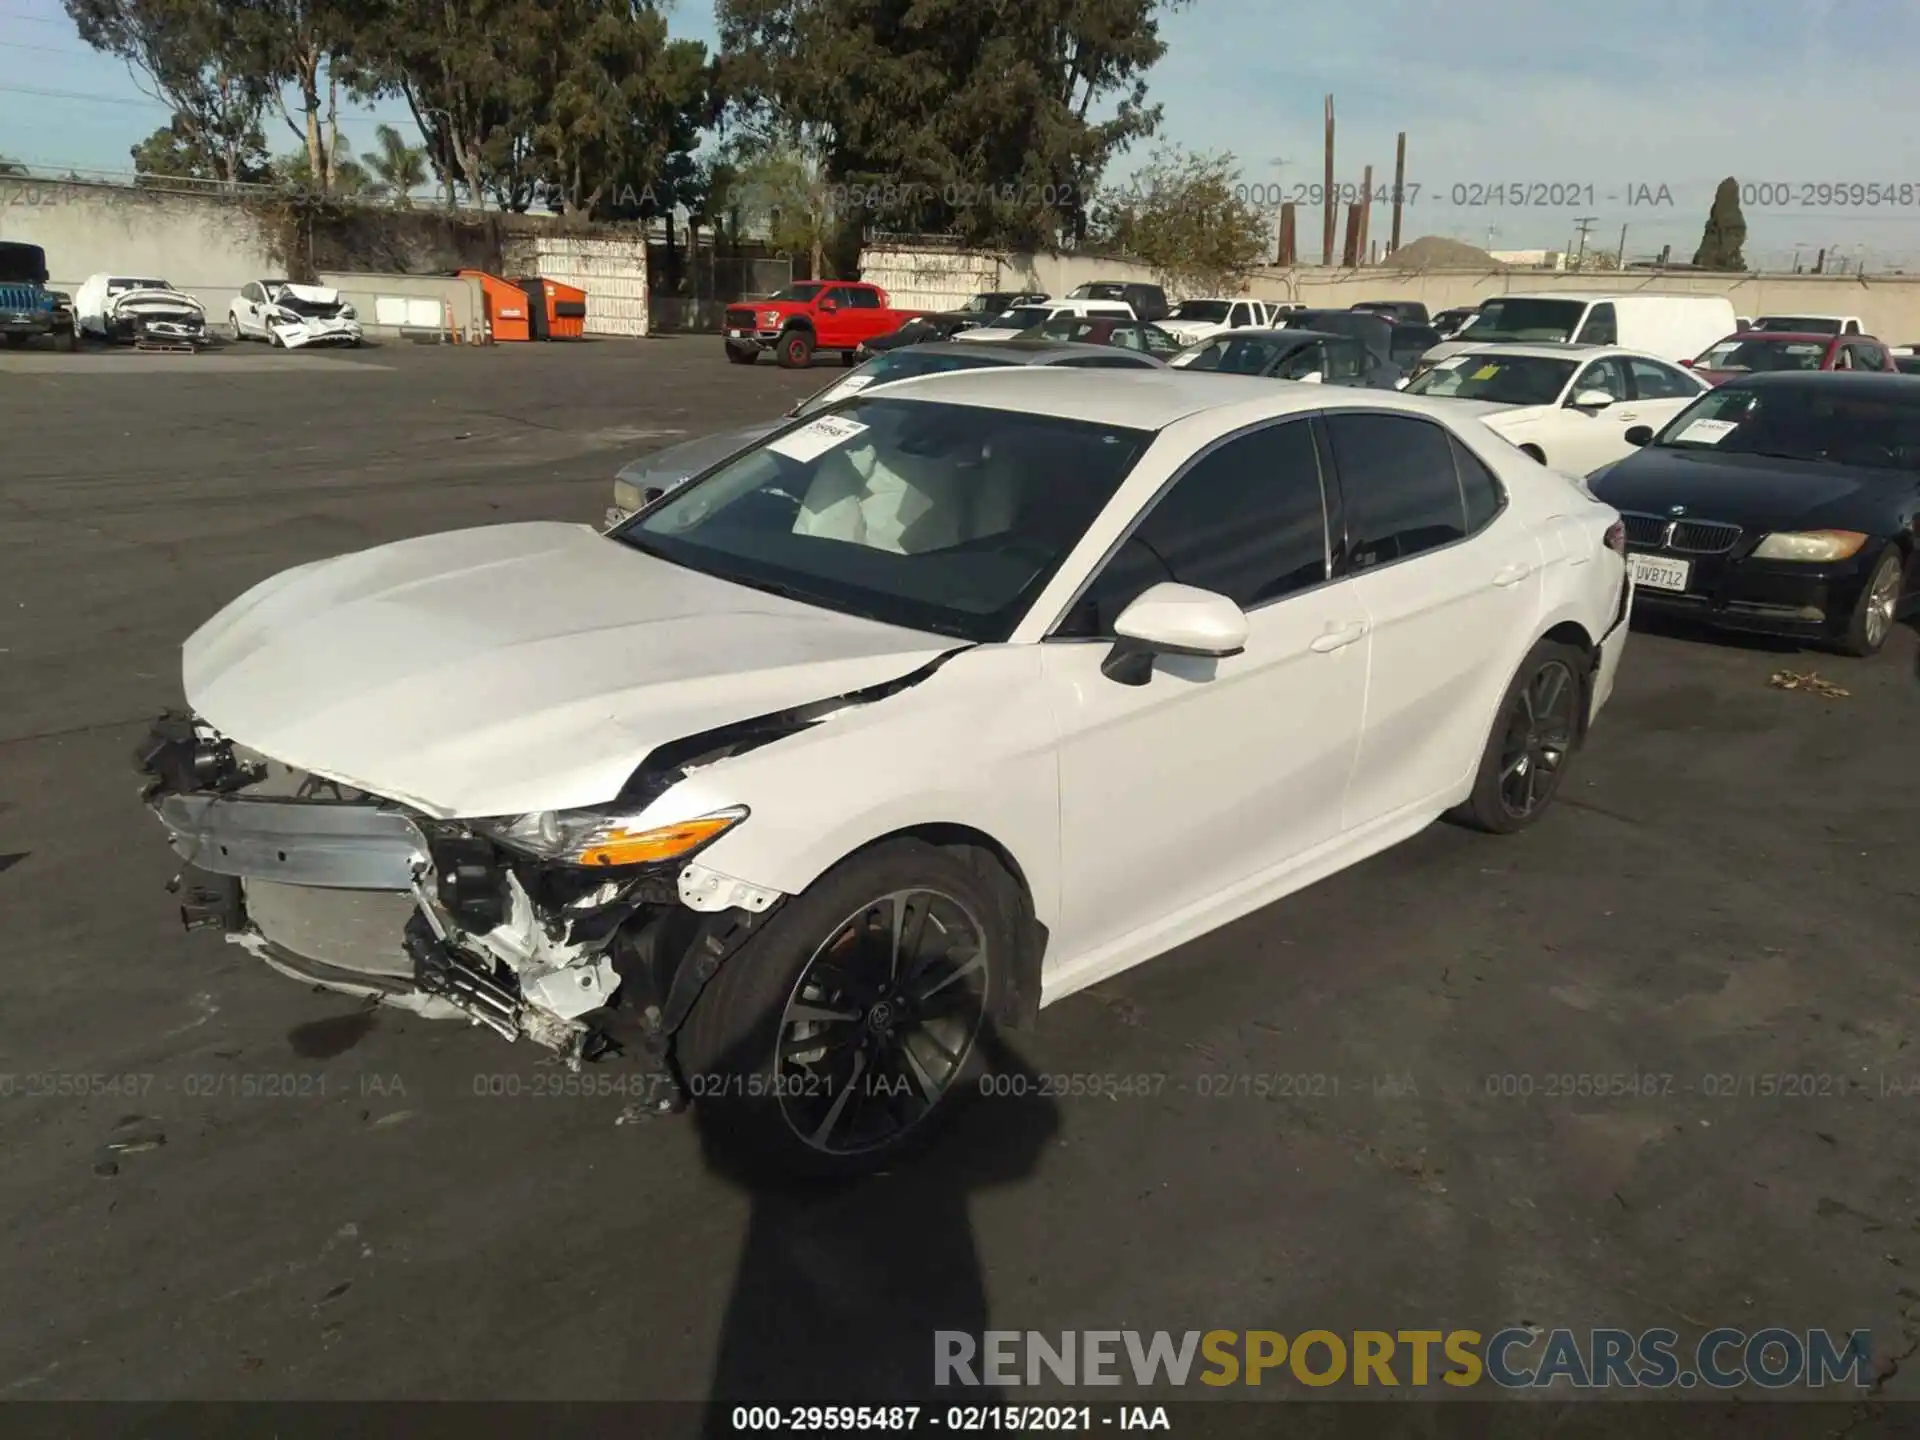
{"x": 1247, "y": 521}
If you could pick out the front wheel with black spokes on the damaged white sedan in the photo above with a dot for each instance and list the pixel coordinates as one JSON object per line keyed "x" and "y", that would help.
{"x": 838, "y": 1038}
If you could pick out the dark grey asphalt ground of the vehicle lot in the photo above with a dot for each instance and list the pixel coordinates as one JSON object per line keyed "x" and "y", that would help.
{"x": 350, "y": 1207}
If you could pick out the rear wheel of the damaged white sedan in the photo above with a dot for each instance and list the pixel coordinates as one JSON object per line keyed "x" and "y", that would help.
{"x": 1535, "y": 736}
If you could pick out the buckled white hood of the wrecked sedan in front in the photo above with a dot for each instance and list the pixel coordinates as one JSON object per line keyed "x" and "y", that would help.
{"x": 514, "y": 669}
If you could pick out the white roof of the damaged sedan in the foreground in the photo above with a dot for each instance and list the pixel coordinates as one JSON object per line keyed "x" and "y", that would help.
{"x": 1151, "y": 400}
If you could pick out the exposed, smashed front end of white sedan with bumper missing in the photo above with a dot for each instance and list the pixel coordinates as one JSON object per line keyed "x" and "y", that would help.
{"x": 477, "y": 932}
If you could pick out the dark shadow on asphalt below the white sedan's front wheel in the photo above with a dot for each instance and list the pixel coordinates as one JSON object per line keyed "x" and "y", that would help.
{"x": 842, "y": 1285}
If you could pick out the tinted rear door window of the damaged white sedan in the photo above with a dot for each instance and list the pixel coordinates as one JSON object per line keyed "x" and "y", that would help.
{"x": 1399, "y": 487}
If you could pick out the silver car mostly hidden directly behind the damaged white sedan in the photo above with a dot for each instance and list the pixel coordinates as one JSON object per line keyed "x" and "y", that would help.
{"x": 654, "y": 475}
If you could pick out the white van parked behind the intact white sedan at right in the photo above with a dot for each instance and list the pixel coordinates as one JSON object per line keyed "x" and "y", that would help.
{"x": 1671, "y": 327}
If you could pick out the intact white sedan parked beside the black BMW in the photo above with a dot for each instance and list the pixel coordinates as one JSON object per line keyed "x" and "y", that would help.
{"x": 1573, "y": 408}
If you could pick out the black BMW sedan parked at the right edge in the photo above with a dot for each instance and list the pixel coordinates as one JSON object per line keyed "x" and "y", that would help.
{"x": 1783, "y": 504}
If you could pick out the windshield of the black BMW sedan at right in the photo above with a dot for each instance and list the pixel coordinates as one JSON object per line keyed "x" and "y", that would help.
{"x": 1804, "y": 423}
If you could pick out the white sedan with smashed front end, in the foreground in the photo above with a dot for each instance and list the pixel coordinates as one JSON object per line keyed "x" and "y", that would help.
{"x": 913, "y": 719}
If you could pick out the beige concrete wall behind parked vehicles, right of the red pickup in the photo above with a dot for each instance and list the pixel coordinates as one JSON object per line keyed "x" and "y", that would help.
{"x": 934, "y": 277}
